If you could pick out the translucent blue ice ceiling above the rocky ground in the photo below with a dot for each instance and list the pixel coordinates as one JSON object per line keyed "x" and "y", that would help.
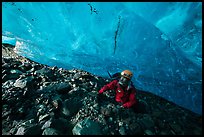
{"x": 159, "y": 41}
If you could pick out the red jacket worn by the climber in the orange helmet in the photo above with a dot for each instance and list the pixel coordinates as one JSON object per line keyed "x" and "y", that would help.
{"x": 127, "y": 98}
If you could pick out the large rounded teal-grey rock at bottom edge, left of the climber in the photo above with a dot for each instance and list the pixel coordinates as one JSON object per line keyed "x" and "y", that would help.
{"x": 86, "y": 127}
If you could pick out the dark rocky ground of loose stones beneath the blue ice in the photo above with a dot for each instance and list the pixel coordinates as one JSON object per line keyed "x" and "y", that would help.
{"x": 42, "y": 100}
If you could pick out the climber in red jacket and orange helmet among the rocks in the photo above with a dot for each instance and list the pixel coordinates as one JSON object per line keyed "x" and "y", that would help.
{"x": 125, "y": 91}
